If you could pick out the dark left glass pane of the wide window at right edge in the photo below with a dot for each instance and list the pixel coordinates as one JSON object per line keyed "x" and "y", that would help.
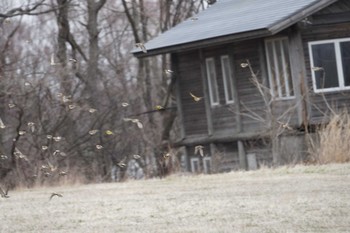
{"x": 324, "y": 56}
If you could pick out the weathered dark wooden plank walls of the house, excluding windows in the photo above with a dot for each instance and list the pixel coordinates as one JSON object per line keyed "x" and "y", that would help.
{"x": 200, "y": 120}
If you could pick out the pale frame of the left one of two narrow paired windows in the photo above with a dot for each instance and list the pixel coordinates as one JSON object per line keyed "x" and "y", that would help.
{"x": 211, "y": 79}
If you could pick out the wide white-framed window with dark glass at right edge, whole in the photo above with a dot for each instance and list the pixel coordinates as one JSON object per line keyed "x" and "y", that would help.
{"x": 330, "y": 64}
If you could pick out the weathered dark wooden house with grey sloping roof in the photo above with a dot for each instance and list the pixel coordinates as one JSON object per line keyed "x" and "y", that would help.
{"x": 267, "y": 71}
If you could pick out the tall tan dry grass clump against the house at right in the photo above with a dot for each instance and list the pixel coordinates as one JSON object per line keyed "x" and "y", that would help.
{"x": 331, "y": 143}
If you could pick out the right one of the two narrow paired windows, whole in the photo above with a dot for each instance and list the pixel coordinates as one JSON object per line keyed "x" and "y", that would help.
{"x": 227, "y": 77}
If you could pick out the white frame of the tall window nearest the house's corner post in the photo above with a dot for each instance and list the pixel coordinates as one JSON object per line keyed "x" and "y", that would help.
{"x": 279, "y": 94}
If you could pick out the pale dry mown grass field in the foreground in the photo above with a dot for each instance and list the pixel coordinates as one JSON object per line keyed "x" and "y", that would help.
{"x": 299, "y": 199}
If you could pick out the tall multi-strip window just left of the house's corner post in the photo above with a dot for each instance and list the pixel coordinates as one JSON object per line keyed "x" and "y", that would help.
{"x": 278, "y": 65}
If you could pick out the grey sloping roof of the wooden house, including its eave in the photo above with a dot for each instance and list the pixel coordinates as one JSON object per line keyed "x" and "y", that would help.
{"x": 229, "y": 20}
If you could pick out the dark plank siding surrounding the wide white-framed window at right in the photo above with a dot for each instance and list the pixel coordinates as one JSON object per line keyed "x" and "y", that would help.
{"x": 323, "y": 30}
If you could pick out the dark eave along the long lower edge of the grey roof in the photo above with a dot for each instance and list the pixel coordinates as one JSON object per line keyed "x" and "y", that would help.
{"x": 204, "y": 43}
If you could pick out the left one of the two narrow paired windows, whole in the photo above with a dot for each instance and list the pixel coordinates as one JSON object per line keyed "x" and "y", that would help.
{"x": 212, "y": 81}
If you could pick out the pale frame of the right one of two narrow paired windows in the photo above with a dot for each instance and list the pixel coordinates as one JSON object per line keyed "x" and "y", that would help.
{"x": 228, "y": 79}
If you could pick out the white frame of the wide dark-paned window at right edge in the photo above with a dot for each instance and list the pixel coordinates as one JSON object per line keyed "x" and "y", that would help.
{"x": 338, "y": 58}
